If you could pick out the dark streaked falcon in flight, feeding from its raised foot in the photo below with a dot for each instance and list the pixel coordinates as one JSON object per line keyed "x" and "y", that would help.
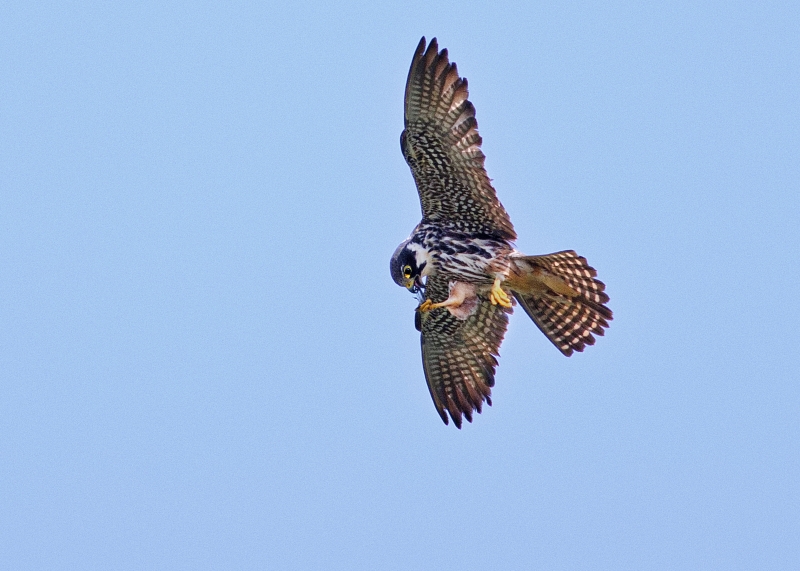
{"x": 460, "y": 260}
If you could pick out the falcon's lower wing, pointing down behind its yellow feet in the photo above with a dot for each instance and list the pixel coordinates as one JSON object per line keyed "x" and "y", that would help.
{"x": 459, "y": 356}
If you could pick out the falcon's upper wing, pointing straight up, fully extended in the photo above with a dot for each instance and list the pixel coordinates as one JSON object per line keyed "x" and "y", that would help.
{"x": 442, "y": 146}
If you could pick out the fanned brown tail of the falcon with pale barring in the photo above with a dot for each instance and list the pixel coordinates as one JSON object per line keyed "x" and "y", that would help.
{"x": 560, "y": 294}
